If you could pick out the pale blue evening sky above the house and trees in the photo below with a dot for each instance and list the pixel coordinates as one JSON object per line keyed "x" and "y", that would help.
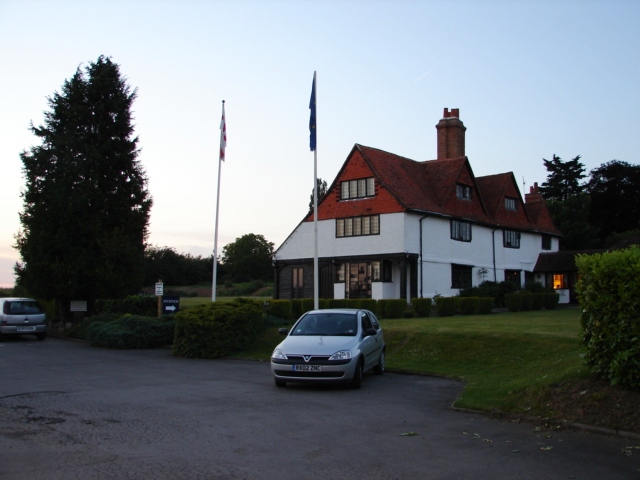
{"x": 531, "y": 79}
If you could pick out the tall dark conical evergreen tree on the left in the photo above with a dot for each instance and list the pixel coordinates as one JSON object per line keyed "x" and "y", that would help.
{"x": 85, "y": 204}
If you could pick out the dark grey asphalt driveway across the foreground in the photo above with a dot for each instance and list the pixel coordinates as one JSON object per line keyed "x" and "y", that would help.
{"x": 71, "y": 411}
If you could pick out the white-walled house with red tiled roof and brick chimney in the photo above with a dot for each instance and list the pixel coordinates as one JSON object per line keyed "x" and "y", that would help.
{"x": 392, "y": 227}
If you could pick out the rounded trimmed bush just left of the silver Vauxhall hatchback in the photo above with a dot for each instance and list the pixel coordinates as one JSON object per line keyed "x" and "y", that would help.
{"x": 217, "y": 330}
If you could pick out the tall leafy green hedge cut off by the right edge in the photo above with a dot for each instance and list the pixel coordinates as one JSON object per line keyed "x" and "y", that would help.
{"x": 609, "y": 294}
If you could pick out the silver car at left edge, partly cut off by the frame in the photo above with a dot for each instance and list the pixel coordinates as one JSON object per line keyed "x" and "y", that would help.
{"x": 22, "y": 316}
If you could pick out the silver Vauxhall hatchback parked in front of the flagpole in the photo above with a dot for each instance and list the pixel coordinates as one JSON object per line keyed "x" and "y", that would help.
{"x": 336, "y": 345}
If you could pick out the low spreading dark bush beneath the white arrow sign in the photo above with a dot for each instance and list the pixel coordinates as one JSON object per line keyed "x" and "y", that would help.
{"x": 132, "y": 331}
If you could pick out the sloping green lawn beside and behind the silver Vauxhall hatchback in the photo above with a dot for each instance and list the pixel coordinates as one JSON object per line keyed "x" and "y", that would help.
{"x": 498, "y": 356}
